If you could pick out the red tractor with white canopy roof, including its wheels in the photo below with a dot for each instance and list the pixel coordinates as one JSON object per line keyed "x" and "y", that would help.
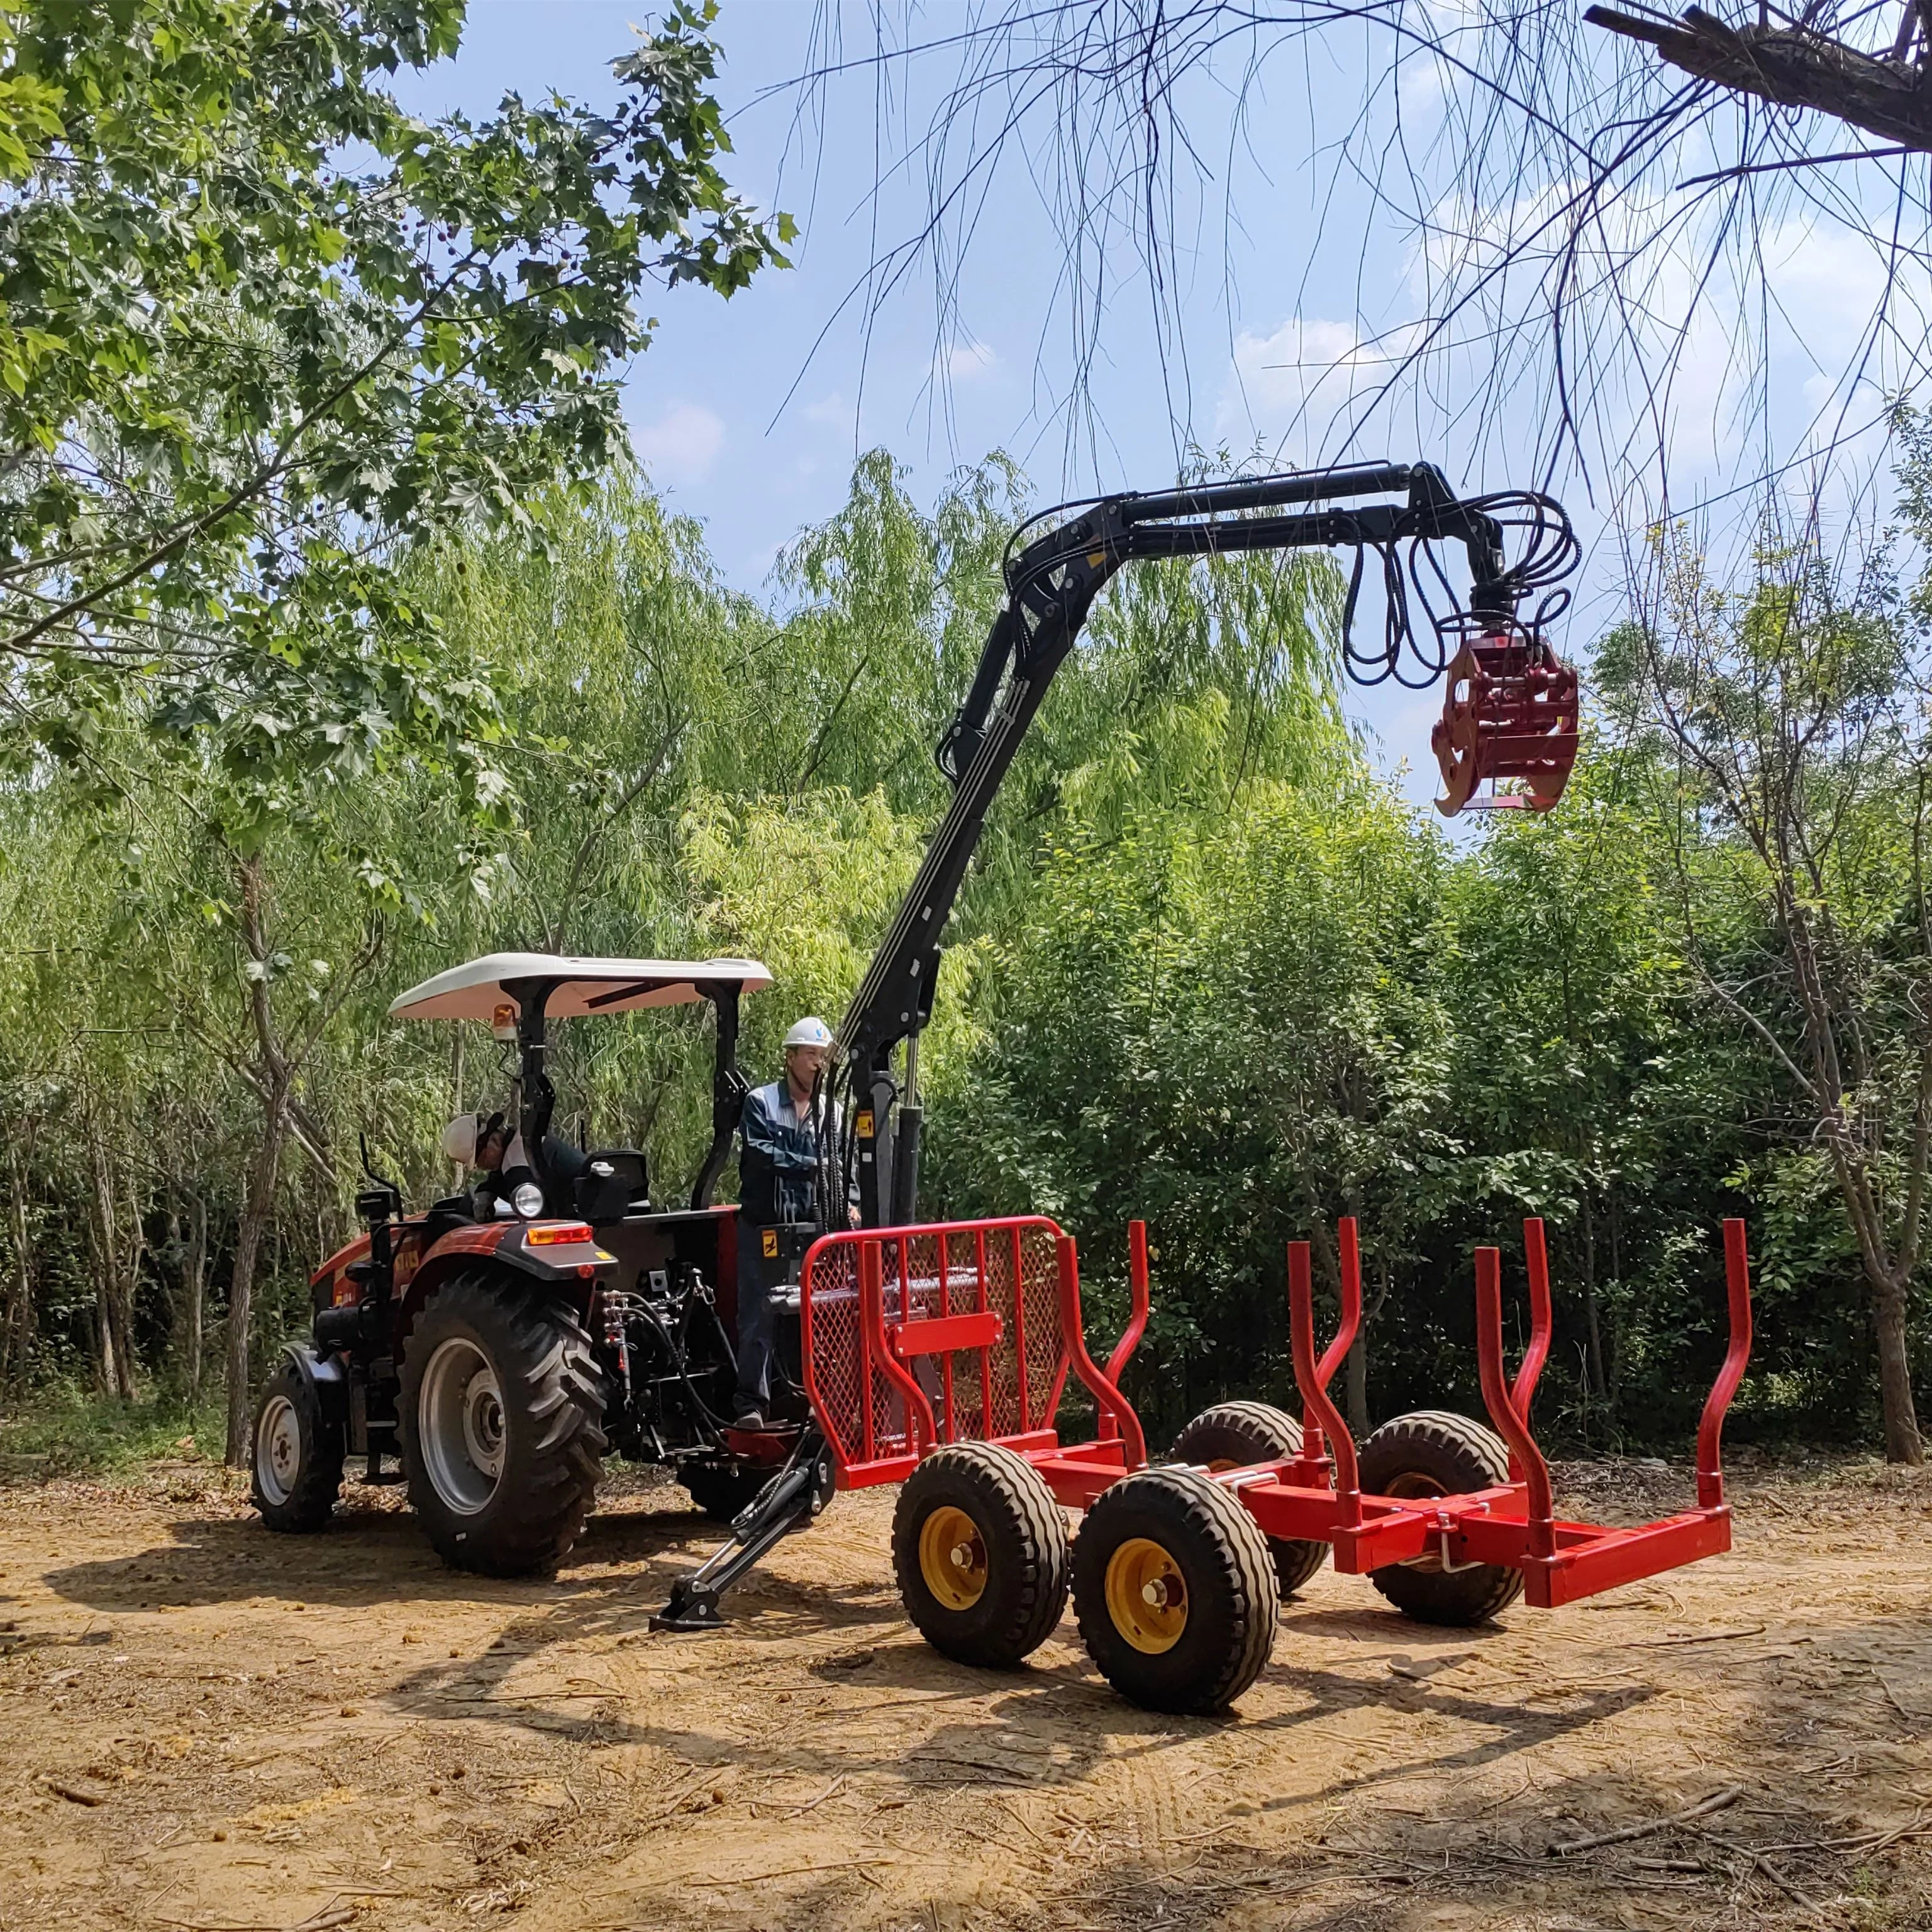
{"x": 499, "y": 1346}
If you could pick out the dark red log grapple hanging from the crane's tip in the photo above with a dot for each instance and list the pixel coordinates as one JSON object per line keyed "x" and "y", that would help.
{"x": 1510, "y": 714}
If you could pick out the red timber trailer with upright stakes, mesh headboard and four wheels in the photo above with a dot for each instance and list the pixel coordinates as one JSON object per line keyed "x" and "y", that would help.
{"x": 938, "y": 1357}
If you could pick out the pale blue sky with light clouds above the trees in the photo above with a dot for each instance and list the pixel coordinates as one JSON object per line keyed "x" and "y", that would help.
{"x": 749, "y": 412}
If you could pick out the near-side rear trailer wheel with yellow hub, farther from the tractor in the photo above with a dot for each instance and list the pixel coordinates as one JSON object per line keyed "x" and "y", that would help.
{"x": 1176, "y": 1591}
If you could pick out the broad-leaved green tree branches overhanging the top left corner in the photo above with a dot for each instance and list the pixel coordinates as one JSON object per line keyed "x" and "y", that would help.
{"x": 244, "y": 293}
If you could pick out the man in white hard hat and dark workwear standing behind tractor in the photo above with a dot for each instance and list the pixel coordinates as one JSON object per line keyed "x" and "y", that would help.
{"x": 778, "y": 1183}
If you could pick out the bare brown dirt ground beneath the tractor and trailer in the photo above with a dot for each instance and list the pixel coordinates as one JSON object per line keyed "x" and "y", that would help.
{"x": 206, "y": 1726}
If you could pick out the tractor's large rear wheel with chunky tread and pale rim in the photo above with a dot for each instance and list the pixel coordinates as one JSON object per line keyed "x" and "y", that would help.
{"x": 501, "y": 1425}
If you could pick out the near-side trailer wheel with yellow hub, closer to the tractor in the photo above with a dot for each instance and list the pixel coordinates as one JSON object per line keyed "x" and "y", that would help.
{"x": 980, "y": 1554}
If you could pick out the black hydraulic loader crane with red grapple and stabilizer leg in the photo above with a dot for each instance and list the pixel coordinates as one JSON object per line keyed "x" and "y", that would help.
{"x": 1512, "y": 714}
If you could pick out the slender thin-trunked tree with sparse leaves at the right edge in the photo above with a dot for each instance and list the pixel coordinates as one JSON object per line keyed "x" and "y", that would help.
{"x": 1794, "y": 776}
